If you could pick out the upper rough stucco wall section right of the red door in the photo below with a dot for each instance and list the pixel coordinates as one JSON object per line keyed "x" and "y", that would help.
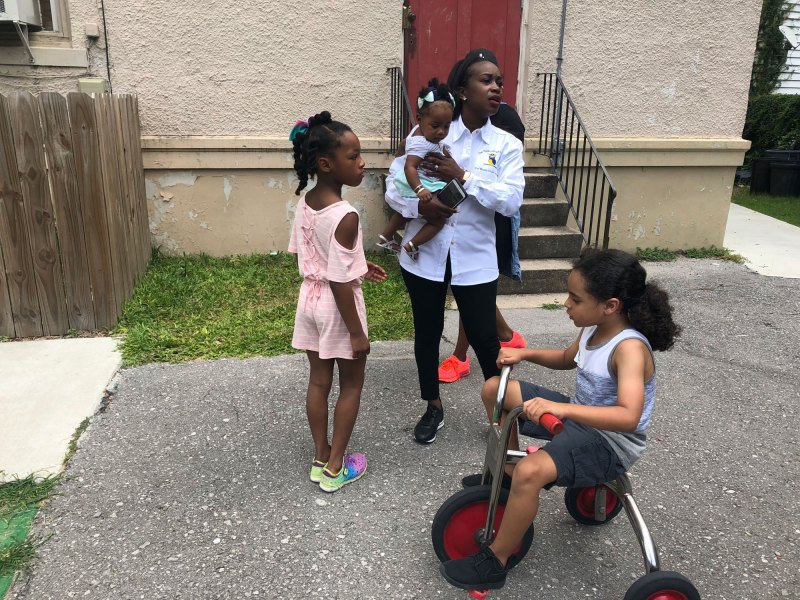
{"x": 643, "y": 68}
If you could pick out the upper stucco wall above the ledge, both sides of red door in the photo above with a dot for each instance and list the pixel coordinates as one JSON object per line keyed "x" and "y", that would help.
{"x": 635, "y": 68}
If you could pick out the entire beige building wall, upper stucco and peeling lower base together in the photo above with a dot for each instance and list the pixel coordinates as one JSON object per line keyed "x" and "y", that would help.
{"x": 648, "y": 74}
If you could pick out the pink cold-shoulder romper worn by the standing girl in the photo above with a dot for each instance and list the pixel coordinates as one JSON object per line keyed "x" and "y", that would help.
{"x": 318, "y": 325}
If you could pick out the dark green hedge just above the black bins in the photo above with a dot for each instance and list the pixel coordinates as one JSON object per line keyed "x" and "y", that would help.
{"x": 773, "y": 121}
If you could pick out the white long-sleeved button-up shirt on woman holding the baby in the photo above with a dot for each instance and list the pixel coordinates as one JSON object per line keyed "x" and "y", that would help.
{"x": 494, "y": 158}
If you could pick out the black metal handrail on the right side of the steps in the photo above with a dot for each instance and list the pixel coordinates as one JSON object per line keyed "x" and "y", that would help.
{"x": 567, "y": 145}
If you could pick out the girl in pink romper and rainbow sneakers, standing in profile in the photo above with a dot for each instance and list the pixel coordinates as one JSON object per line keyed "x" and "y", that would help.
{"x": 331, "y": 320}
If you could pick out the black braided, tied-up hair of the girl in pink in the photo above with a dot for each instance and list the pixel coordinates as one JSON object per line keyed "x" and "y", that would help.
{"x": 320, "y": 136}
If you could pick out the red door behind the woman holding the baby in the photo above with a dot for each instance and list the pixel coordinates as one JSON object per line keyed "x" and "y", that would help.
{"x": 445, "y": 30}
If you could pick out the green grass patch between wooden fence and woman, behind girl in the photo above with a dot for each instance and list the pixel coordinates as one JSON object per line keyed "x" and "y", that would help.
{"x": 199, "y": 307}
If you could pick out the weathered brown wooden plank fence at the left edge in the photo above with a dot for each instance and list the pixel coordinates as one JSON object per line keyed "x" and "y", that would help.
{"x": 74, "y": 233}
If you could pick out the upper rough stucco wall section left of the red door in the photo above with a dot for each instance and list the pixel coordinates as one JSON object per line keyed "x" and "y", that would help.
{"x": 252, "y": 68}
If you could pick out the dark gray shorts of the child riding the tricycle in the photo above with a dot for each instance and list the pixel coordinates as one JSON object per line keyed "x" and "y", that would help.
{"x": 582, "y": 456}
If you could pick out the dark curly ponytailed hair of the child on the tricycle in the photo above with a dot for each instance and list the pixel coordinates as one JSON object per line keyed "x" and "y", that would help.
{"x": 617, "y": 274}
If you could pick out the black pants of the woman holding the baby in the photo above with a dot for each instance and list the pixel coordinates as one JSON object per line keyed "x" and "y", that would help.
{"x": 476, "y": 307}
